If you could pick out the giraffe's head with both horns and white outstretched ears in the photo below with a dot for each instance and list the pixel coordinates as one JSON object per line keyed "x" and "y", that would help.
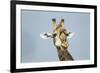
{"x": 59, "y": 34}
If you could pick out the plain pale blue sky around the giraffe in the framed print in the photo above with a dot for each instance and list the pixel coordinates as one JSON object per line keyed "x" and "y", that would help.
{"x": 36, "y": 49}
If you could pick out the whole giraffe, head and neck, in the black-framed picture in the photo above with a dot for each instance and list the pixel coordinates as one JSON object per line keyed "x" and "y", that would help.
{"x": 60, "y": 40}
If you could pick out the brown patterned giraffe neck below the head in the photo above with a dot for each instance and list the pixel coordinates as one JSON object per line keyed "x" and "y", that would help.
{"x": 63, "y": 54}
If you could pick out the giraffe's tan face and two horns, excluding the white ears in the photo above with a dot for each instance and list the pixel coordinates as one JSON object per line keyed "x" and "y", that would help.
{"x": 59, "y": 34}
